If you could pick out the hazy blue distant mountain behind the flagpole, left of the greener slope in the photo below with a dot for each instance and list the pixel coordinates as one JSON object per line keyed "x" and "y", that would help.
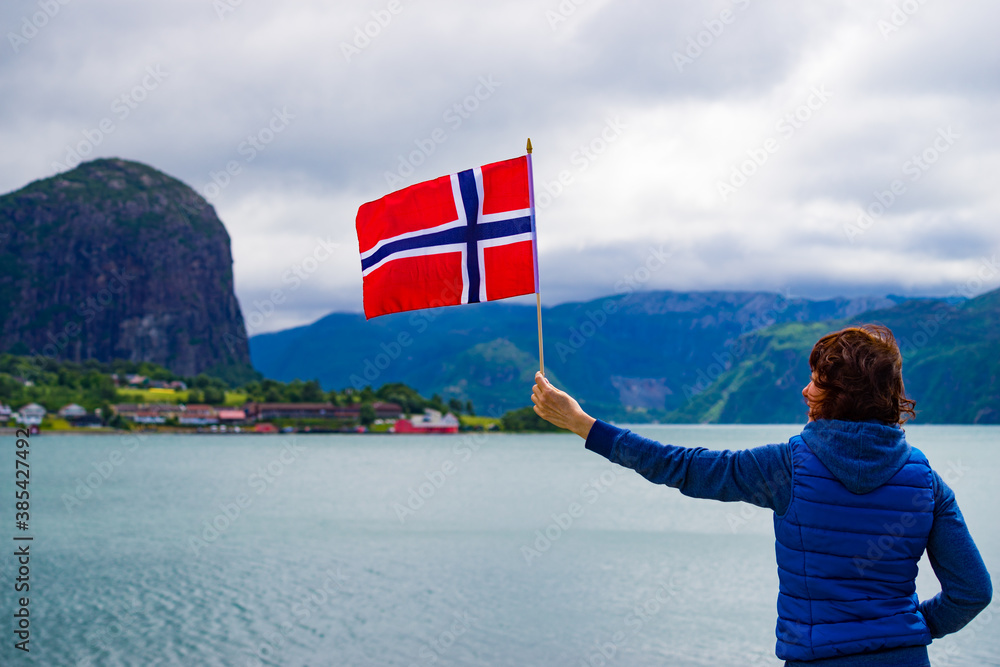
{"x": 631, "y": 356}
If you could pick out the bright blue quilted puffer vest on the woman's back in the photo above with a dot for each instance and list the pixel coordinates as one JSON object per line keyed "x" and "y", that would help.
{"x": 847, "y": 563}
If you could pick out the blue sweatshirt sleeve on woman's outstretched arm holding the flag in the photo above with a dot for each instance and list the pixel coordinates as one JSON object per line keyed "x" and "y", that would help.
{"x": 760, "y": 476}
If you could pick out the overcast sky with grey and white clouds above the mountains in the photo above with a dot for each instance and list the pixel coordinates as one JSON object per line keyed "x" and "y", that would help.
{"x": 746, "y": 139}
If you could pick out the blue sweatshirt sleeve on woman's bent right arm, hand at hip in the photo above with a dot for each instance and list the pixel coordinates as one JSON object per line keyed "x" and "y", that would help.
{"x": 966, "y": 588}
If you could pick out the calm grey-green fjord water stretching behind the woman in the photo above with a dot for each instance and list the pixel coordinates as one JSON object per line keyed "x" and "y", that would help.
{"x": 513, "y": 550}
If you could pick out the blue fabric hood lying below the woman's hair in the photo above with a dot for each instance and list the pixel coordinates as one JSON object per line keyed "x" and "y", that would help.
{"x": 862, "y": 455}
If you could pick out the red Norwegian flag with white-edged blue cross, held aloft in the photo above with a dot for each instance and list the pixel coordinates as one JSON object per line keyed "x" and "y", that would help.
{"x": 463, "y": 238}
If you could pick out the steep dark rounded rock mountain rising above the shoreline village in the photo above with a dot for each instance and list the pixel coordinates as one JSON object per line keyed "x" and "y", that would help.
{"x": 115, "y": 259}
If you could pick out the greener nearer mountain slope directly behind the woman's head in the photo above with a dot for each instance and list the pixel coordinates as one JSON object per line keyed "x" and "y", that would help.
{"x": 951, "y": 365}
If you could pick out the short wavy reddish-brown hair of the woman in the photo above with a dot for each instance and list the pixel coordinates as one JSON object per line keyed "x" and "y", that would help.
{"x": 859, "y": 371}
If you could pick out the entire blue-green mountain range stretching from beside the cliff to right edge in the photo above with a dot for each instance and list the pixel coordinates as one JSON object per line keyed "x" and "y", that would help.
{"x": 729, "y": 357}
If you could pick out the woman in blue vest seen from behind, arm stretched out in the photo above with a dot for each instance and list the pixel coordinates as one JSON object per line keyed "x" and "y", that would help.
{"x": 854, "y": 509}
